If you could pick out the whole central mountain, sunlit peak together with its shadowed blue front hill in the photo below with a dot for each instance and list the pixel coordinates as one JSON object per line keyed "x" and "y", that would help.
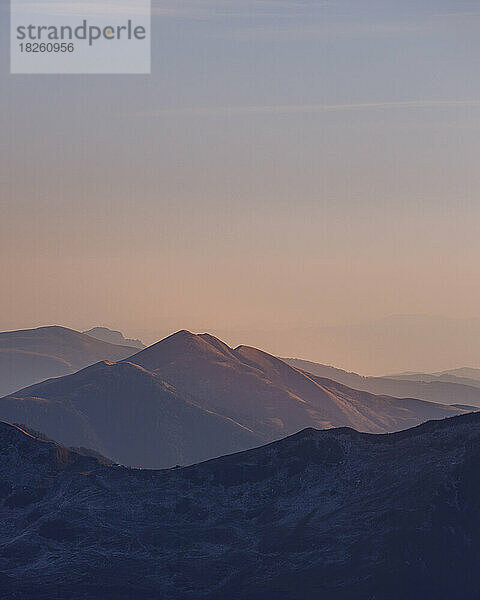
{"x": 192, "y": 397}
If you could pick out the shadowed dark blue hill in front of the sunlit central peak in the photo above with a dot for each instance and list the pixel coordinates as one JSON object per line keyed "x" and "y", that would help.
{"x": 127, "y": 414}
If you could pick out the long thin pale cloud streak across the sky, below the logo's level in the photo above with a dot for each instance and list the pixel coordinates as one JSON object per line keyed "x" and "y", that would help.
{"x": 309, "y": 108}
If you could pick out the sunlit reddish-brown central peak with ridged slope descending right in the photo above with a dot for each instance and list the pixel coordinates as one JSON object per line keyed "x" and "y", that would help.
{"x": 265, "y": 394}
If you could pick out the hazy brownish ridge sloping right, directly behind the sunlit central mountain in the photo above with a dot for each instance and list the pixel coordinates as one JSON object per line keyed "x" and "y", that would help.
{"x": 444, "y": 390}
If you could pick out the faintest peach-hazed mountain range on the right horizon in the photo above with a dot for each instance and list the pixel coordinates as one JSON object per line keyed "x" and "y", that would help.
{"x": 415, "y": 342}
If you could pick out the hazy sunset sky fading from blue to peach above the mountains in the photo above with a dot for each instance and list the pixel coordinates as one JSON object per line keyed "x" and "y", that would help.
{"x": 287, "y": 166}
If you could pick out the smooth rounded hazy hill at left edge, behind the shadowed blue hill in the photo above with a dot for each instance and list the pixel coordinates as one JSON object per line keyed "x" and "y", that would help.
{"x": 32, "y": 355}
